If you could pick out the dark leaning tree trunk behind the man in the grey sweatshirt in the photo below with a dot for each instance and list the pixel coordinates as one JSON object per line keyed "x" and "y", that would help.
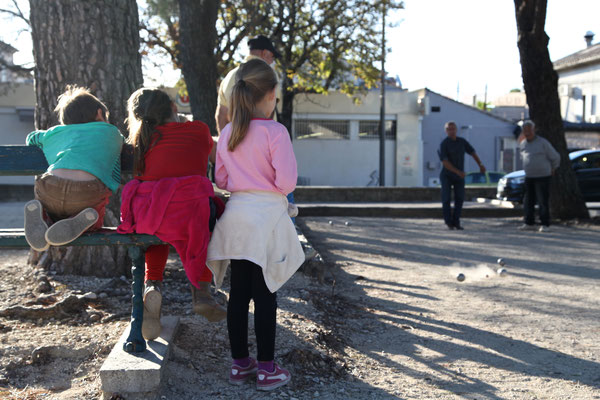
{"x": 541, "y": 86}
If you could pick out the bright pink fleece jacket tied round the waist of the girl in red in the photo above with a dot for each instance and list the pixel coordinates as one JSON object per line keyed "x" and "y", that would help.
{"x": 177, "y": 211}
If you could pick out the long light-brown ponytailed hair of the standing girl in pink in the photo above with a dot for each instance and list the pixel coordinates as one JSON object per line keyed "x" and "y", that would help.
{"x": 254, "y": 80}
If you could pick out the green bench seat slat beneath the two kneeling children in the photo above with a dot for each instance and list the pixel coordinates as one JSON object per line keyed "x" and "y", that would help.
{"x": 105, "y": 237}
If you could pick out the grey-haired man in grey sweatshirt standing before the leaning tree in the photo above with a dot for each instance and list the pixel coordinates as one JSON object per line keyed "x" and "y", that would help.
{"x": 540, "y": 160}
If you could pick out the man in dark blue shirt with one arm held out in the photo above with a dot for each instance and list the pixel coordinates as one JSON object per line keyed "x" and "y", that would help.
{"x": 452, "y": 154}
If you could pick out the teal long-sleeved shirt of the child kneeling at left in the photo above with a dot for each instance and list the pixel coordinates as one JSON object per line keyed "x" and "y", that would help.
{"x": 94, "y": 147}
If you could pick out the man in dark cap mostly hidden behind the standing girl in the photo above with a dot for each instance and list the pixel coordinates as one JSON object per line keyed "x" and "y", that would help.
{"x": 260, "y": 47}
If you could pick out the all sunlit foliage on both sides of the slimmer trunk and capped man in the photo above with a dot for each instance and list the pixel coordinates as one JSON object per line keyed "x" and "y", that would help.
{"x": 325, "y": 43}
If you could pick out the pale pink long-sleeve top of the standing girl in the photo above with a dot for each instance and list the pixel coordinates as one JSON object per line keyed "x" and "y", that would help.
{"x": 264, "y": 160}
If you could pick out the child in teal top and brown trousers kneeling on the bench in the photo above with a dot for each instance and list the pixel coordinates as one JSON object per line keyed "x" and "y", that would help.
{"x": 83, "y": 155}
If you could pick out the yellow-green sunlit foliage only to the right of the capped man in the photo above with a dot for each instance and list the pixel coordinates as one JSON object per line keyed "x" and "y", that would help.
{"x": 329, "y": 44}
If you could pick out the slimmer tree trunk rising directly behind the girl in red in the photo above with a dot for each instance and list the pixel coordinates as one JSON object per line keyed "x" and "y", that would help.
{"x": 198, "y": 34}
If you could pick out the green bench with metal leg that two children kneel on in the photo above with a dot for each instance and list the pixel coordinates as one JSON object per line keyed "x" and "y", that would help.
{"x": 29, "y": 160}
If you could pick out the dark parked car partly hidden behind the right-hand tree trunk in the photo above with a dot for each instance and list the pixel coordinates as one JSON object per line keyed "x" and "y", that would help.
{"x": 585, "y": 163}
